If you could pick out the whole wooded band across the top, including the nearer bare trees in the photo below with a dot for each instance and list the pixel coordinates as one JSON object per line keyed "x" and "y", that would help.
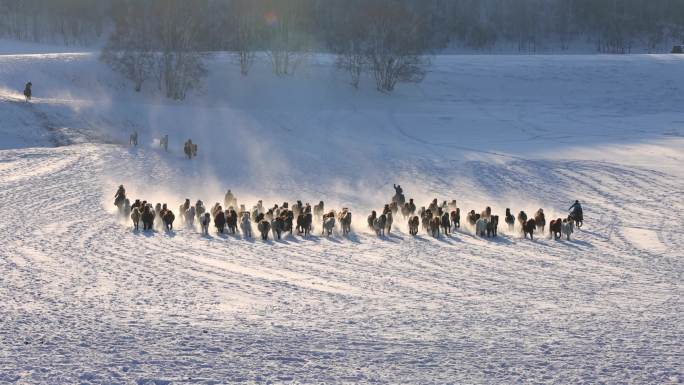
{"x": 164, "y": 40}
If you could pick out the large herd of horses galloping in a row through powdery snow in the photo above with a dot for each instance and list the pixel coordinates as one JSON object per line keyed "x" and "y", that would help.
{"x": 435, "y": 219}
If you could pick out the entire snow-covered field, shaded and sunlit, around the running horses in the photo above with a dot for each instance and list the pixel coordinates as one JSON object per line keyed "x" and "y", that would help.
{"x": 84, "y": 299}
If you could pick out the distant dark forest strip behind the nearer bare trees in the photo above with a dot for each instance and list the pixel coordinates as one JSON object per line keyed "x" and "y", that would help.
{"x": 613, "y": 26}
